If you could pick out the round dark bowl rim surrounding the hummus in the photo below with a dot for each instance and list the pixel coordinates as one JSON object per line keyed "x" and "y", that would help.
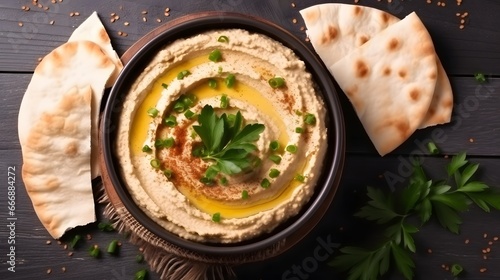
{"x": 139, "y": 55}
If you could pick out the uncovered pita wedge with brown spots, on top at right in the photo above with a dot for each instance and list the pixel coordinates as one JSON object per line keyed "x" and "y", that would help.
{"x": 390, "y": 81}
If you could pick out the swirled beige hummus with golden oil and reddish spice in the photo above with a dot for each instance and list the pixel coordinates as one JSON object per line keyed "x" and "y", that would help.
{"x": 165, "y": 181}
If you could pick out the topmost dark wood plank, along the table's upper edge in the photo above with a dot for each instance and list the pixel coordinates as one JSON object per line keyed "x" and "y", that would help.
{"x": 463, "y": 52}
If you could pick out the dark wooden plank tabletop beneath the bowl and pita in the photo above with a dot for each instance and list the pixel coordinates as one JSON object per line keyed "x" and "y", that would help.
{"x": 26, "y": 36}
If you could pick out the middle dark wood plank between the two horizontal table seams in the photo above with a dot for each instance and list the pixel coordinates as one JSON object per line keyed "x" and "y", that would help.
{"x": 474, "y": 117}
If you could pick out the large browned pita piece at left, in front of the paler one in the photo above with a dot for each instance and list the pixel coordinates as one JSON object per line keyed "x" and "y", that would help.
{"x": 55, "y": 123}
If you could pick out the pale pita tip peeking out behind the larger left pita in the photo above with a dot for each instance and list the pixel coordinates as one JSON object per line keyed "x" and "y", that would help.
{"x": 93, "y": 30}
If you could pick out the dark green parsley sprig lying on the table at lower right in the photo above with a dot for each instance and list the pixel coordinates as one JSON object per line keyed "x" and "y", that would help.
{"x": 421, "y": 199}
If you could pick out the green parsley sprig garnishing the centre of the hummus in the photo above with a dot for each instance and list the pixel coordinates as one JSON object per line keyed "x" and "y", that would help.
{"x": 226, "y": 142}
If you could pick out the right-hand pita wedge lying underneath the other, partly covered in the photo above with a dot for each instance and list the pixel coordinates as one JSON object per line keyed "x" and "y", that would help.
{"x": 336, "y": 29}
